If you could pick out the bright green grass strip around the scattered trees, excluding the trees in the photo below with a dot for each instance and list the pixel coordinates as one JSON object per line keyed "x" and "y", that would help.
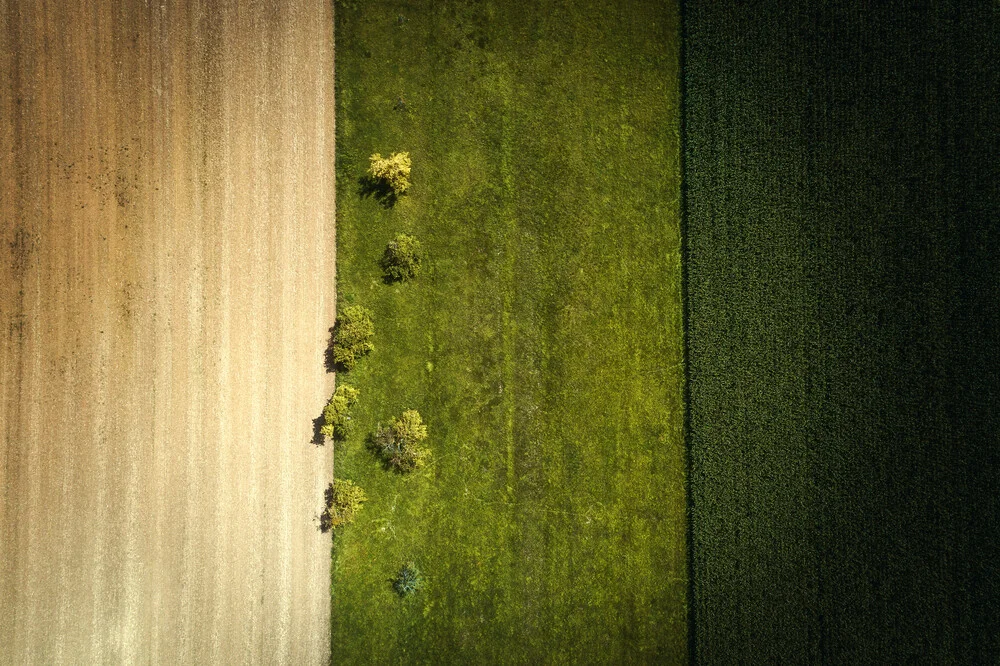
{"x": 542, "y": 343}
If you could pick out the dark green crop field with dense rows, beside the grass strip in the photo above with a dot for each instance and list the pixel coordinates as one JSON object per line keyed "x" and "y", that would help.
{"x": 841, "y": 193}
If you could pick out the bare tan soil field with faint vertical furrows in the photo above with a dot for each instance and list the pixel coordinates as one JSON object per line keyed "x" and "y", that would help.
{"x": 166, "y": 286}
